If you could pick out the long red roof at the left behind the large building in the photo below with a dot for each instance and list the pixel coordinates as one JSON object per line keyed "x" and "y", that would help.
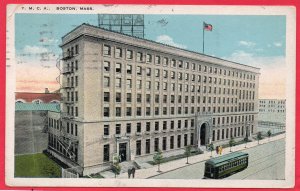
{"x": 28, "y": 97}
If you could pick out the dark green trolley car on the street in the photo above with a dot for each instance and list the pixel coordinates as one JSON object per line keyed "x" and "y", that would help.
{"x": 226, "y": 165}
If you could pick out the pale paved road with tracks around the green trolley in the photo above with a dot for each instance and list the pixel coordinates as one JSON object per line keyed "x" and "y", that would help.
{"x": 266, "y": 162}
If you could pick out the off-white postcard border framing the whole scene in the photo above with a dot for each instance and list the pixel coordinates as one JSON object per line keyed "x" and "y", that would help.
{"x": 290, "y": 14}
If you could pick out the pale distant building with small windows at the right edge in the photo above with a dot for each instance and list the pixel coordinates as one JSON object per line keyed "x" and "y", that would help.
{"x": 272, "y": 112}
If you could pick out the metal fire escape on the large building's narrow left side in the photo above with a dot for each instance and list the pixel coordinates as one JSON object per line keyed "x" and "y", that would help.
{"x": 65, "y": 139}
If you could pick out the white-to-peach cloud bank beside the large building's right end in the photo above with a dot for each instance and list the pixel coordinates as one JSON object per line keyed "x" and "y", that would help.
{"x": 272, "y": 80}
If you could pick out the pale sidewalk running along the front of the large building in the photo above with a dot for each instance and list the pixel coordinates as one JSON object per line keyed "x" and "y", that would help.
{"x": 176, "y": 164}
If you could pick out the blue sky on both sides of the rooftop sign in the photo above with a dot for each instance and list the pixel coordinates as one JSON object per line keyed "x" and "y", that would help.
{"x": 253, "y": 40}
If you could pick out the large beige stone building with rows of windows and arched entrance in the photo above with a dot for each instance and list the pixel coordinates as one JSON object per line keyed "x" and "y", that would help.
{"x": 130, "y": 97}
